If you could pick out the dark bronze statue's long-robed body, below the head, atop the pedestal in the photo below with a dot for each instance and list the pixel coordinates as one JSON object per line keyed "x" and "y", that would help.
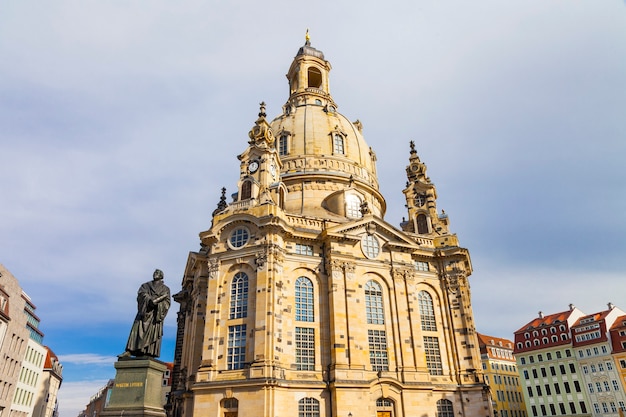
{"x": 153, "y": 301}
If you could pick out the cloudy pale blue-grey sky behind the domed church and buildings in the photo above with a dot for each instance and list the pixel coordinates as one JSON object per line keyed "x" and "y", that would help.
{"x": 121, "y": 121}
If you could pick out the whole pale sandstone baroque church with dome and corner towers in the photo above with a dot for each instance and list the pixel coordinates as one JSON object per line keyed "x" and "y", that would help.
{"x": 304, "y": 302}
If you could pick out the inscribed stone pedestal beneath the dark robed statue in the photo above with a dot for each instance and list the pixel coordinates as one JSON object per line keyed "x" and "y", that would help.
{"x": 137, "y": 390}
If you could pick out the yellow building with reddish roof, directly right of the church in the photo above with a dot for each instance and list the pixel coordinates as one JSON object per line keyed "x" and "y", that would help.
{"x": 502, "y": 376}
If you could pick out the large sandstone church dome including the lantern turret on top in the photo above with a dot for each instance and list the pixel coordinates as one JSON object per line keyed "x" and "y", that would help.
{"x": 325, "y": 159}
